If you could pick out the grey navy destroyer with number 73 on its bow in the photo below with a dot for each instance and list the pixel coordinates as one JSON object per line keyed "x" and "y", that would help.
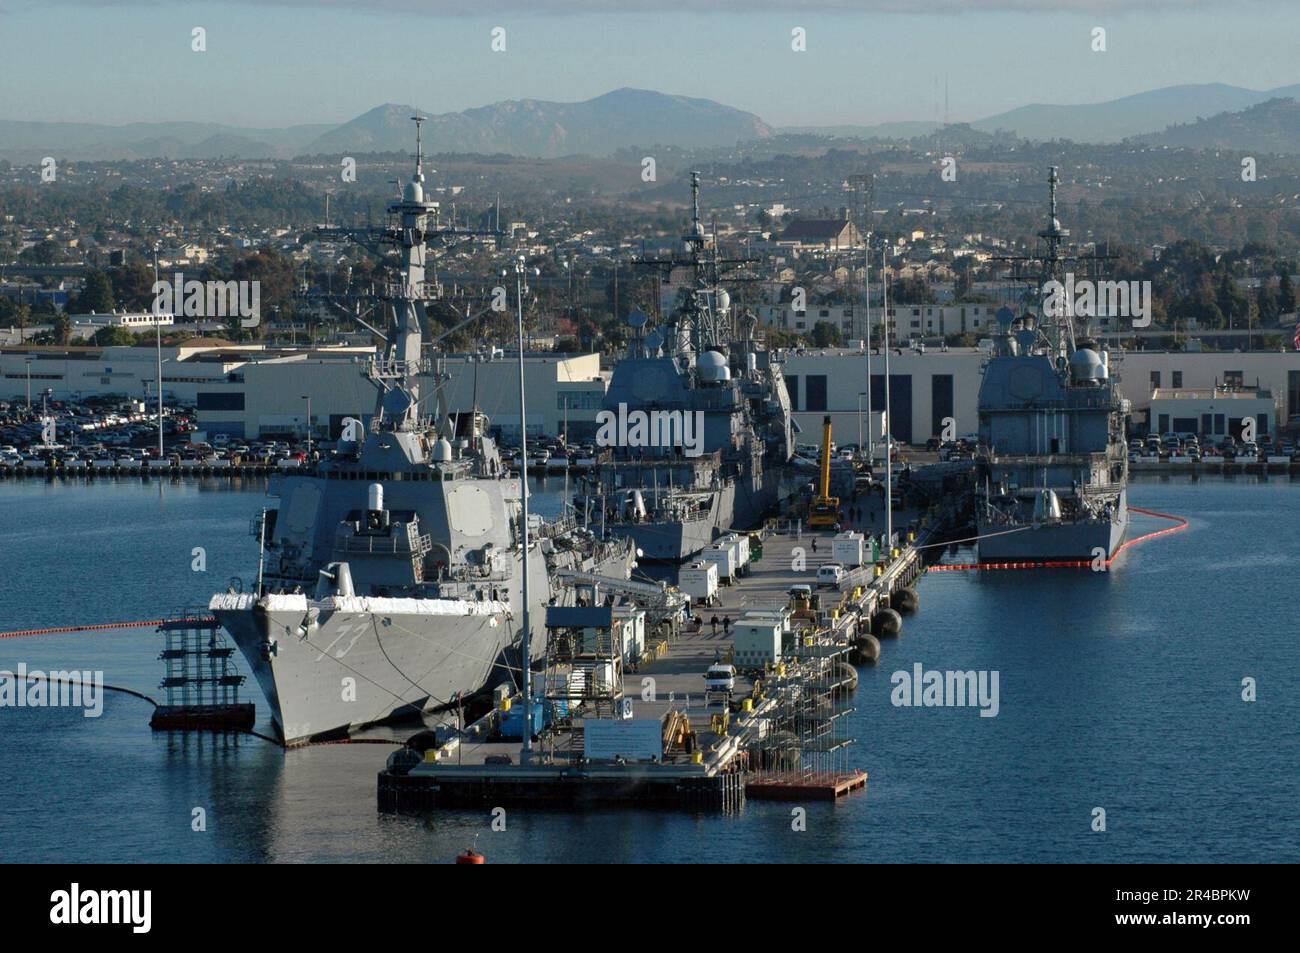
{"x": 393, "y": 573}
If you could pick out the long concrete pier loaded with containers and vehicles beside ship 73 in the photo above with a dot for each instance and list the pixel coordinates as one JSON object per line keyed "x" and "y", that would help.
{"x": 642, "y": 730}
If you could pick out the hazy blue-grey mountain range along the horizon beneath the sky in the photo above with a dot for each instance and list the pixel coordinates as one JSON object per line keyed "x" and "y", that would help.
{"x": 627, "y": 118}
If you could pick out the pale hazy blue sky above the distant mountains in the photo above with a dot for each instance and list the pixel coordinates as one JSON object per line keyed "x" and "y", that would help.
{"x": 278, "y": 63}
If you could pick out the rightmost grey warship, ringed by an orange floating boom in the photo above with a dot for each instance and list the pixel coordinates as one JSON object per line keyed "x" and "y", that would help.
{"x": 1054, "y": 469}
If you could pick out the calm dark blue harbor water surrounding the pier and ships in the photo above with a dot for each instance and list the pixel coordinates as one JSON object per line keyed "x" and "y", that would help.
{"x": 1119, "y": 691}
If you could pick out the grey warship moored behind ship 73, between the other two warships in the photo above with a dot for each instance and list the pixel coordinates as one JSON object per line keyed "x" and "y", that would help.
{"x": 673, "y": 497}
